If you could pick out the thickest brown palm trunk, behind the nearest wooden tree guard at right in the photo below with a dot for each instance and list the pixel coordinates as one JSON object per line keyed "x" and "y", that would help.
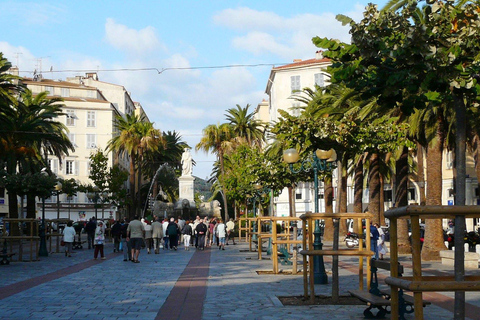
{"x": 433, "y": 227}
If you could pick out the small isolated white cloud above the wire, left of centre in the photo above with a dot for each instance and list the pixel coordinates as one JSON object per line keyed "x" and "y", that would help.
{"x": 134, "y": 42}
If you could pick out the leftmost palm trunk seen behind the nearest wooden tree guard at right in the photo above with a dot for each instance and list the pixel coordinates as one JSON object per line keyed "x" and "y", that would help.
{"x": 401, "y": 200}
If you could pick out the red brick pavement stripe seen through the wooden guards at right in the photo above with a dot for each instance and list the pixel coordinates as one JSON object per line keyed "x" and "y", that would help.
{"x": 440, "y": 300}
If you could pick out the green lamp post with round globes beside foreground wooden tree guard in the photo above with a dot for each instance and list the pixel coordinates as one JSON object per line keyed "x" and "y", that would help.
{"x": 321, "y": 160}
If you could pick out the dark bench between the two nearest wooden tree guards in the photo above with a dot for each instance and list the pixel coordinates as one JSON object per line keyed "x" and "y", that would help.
{"x": 380, "y": 299}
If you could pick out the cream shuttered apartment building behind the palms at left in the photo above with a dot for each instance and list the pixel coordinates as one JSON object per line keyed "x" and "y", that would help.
{"x": 89, "y": 118}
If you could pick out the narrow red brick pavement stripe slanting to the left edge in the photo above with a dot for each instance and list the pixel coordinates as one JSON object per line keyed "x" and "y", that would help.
{"x": 18, "y": 287}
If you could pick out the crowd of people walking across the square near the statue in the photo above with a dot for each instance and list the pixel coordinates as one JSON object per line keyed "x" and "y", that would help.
{"x": 153, "y": 235}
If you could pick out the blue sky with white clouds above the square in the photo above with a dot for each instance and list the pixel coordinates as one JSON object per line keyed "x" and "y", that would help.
{"x": 172, "y": 56}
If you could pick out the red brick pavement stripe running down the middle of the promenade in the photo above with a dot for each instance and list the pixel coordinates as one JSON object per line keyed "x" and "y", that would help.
{"x": 187, "y": 296}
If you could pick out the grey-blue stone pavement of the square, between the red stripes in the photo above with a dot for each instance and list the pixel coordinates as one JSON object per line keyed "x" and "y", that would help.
{"x": 57, "y": 287}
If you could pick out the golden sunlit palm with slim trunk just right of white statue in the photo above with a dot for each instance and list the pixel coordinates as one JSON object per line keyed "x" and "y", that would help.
{"x": 217, "y": 139}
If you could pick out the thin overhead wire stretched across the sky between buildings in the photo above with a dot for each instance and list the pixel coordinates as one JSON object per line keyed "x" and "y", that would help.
{"x": 159, "y": 71}
